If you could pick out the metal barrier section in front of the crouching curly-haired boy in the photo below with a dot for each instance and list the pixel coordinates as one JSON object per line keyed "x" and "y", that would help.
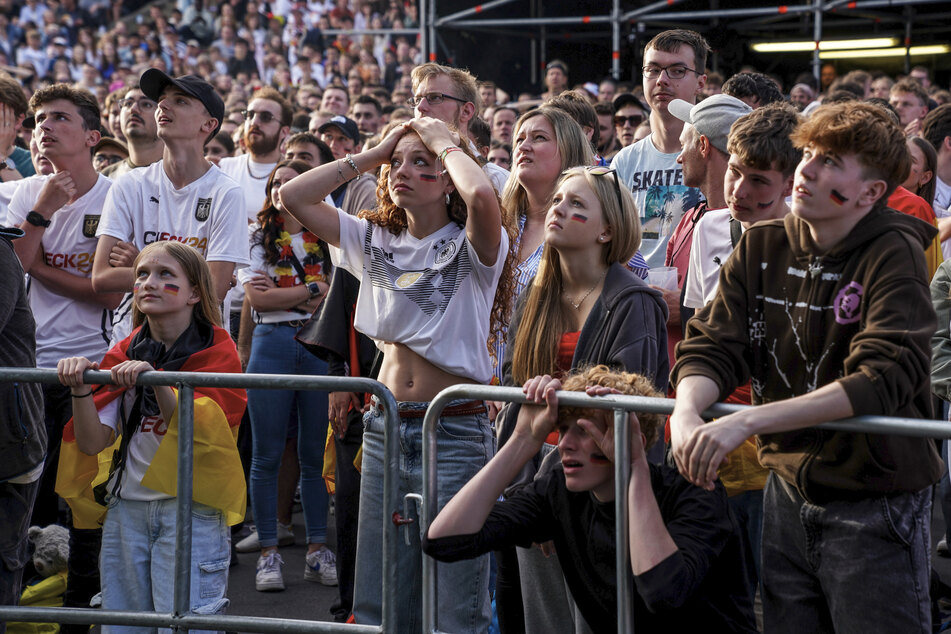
{"x": 621, "y": 404}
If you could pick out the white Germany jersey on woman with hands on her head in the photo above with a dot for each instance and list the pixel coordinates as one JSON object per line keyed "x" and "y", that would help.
{"x": 430, "y": 294}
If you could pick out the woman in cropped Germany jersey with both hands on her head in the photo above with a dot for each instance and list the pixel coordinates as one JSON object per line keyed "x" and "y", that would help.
{"x": 430, "y": 260}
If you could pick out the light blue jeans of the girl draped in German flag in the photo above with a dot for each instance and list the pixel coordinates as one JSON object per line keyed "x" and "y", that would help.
{"x": 137, "y": 560}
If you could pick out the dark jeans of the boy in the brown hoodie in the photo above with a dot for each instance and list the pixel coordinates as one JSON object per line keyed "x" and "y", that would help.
{"x": 849, "y": 567}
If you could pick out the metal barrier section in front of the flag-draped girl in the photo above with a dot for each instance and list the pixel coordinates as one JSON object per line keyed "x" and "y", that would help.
{"x": 180, "y": 619}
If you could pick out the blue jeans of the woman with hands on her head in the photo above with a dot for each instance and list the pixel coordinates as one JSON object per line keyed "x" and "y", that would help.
{"x": 464, "y": 446}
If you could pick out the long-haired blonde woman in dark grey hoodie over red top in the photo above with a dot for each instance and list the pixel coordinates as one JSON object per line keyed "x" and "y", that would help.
{"x": 584, "y": 307}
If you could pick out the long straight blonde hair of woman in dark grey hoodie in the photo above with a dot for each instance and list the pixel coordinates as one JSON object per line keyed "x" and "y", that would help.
{"x": 544, "y": 319}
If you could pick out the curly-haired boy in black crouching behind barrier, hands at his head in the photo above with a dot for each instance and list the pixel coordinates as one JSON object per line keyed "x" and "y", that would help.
{"x": 686, "y": 552}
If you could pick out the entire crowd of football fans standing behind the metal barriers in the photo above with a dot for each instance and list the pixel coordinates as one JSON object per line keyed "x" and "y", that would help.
{"x": 223, "y": 189}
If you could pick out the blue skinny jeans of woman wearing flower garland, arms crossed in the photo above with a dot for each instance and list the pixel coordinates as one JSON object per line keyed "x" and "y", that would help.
{"x": 274, "y": 351}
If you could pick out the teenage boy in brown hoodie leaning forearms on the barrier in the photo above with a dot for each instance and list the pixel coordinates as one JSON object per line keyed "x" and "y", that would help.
{"x": 828, "y": 313}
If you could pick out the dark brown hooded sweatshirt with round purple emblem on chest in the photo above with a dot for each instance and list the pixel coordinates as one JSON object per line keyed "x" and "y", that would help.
{"x": 791, "y": 319}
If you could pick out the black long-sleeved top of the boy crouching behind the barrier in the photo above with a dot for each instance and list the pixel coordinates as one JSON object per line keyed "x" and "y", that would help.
{"x": 704, "y": 586}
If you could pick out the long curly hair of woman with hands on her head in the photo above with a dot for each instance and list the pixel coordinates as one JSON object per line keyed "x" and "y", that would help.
{"x": 389, "y": 215}
